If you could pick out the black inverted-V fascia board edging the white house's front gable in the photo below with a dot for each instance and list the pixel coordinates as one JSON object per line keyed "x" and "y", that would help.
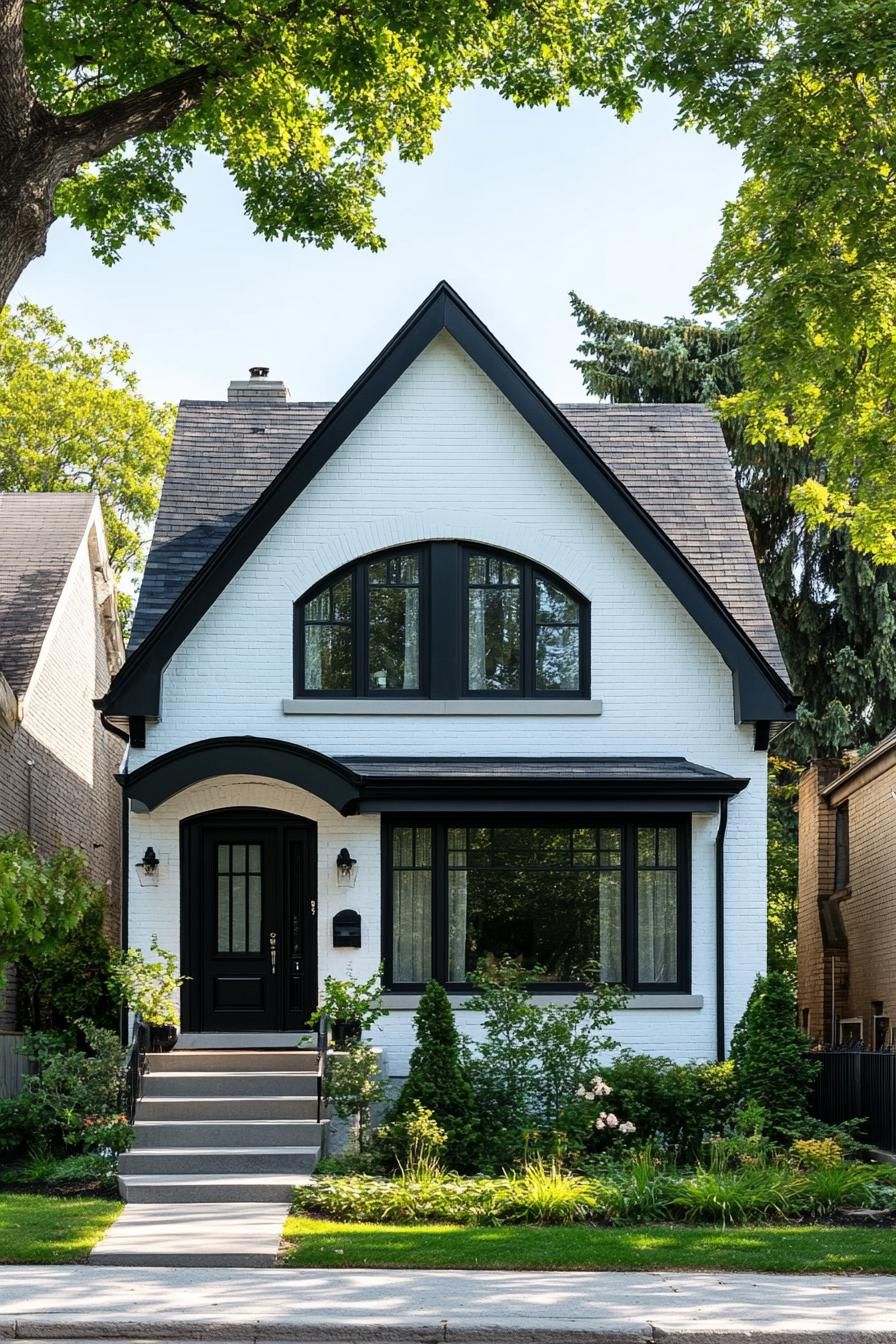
{"x": 760, "y": 693}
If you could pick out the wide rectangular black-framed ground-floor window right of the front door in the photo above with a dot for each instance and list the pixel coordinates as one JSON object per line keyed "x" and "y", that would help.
{"x": 558, "y": 898}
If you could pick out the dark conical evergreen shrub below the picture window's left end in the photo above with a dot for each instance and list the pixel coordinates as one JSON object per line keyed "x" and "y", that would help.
{"x": 439, "y": 1081}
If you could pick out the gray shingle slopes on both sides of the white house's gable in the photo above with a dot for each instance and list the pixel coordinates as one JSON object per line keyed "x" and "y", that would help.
{"x": 672, "y": 459}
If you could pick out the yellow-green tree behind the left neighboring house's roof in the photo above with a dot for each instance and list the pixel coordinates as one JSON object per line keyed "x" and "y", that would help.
{"x": 72, "y": 417}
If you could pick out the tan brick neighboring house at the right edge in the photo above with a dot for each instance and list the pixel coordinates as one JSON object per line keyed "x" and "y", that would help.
{"x": 847, "y": 939}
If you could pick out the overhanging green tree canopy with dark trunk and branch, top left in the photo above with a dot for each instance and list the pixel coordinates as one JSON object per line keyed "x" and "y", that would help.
{"x": 103, "y": 104}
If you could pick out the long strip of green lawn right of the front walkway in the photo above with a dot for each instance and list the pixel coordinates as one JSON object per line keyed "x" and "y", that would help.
{"x": 314, "y": 1244}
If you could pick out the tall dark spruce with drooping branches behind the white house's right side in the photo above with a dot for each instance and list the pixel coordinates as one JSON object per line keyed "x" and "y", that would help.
{"x": 834, "y": 610}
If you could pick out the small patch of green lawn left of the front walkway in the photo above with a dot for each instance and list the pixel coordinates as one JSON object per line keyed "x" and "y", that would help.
{"x": 46, "y": 1230}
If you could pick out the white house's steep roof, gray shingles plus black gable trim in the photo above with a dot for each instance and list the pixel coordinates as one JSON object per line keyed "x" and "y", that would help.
{"x": 660, "y": 472}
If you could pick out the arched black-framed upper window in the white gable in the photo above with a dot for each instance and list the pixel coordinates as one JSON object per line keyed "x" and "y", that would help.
{"x": 444, "y": 620}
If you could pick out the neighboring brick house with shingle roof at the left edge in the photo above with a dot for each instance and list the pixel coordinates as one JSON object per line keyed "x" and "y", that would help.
{"x": 60, "y": 647}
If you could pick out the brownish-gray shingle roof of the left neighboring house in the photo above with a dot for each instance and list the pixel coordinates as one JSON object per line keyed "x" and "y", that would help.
{"x": 40, "y": 537}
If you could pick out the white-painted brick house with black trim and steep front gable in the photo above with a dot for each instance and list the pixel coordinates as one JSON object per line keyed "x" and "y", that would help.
{"x": 514, "y": 658}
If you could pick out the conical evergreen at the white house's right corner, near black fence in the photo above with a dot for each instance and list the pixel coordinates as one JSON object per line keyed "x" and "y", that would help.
{"x": 772, "y": 1064}
